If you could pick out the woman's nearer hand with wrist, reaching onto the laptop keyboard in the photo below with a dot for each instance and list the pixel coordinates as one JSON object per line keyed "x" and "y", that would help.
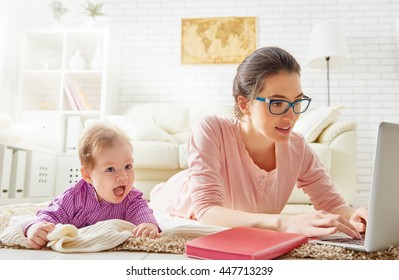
{"x": 319, "y": 223}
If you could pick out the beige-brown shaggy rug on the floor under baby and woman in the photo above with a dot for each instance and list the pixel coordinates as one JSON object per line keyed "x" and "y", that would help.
{"x": 175, "y": 244}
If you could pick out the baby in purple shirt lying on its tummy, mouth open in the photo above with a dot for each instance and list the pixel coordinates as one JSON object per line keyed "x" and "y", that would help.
{"x": 105, "y": 191}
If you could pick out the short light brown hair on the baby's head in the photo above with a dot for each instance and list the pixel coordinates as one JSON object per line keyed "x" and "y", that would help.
{"x": 97, "y": 137}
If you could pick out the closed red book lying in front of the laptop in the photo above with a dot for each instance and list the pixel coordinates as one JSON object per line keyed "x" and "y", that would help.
{"x": 244, "y": 243}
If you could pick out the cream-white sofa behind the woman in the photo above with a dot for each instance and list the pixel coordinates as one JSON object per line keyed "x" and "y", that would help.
{"x": 159, "y": 133}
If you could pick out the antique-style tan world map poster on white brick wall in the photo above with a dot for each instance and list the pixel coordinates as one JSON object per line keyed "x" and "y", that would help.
{"x": 217, "y": 40}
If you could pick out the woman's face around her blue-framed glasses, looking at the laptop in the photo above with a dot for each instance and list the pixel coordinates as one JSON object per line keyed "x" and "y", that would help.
{"x": 283, "y": 86}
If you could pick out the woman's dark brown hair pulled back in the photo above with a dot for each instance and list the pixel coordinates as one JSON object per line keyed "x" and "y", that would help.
{"x": 256, "y": 68}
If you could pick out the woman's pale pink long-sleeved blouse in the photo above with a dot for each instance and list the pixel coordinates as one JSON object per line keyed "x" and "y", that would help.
{"x": 222, "y": 173}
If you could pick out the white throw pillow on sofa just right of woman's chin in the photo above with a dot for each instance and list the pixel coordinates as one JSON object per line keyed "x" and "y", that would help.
{"x": 312, "y": 123}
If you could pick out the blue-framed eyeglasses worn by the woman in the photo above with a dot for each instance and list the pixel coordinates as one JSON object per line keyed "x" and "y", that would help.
{"x": 280, "y": 106}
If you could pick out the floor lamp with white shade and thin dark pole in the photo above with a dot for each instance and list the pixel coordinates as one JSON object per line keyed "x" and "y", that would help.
{"x": 327, "y": 49}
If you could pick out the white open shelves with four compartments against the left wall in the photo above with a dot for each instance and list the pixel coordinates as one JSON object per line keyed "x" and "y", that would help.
{"x": 50, "y": 83}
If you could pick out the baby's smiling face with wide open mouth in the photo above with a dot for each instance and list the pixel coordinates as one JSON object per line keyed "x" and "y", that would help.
{"x": 113, "y": 173}
